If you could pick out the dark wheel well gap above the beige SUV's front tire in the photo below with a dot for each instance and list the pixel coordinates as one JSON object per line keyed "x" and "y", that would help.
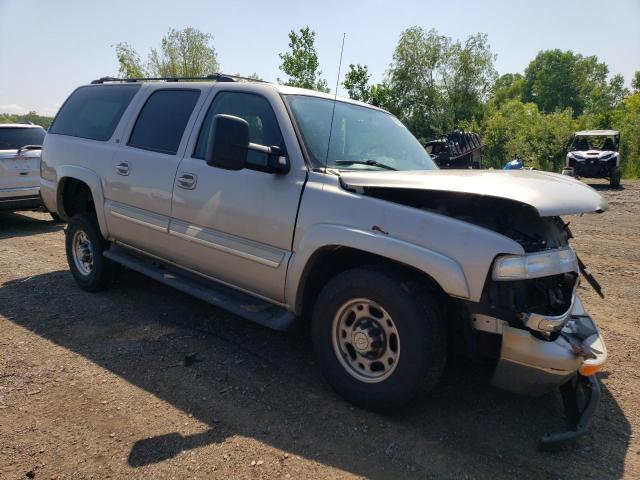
{"x": 330, "y": 261}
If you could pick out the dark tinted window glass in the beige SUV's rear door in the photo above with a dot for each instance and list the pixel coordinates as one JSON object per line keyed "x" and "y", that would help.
{"x": 162, "y": 121}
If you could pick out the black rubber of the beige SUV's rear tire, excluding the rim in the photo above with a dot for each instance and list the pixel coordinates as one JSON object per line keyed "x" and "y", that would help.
{"x": 101, "y": 273}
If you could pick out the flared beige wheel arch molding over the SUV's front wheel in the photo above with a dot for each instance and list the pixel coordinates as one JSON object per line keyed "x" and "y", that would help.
{"x": 444, "y": 270}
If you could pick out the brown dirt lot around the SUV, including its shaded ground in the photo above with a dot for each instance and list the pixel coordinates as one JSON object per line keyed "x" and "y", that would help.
{"x": 95, "y": 385}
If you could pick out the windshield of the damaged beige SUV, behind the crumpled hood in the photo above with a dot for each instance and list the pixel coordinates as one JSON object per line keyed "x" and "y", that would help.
{"x": 362, "y": 138}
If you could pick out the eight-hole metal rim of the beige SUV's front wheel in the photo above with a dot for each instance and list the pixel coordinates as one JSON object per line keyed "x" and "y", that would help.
{"x": 366, "y": 340}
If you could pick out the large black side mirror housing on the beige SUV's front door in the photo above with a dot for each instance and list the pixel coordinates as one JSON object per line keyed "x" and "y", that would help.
{"x": 228, "y": 142}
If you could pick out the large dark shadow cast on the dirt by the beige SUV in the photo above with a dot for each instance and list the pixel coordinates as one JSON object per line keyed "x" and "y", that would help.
{"x": 248, "y": 381}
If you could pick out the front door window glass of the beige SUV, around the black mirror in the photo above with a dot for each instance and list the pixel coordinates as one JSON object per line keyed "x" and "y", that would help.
{"x": 263, "y": 126}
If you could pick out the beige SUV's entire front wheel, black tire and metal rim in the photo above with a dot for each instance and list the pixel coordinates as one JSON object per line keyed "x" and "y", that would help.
{"x": 379, "y": 338}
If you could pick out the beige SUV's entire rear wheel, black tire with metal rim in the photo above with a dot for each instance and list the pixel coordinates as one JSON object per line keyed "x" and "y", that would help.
{"x": 84, "y": 245}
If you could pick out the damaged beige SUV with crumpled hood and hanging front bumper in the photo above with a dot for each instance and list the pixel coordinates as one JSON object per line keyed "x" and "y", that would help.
{"x": 284, "y": 205}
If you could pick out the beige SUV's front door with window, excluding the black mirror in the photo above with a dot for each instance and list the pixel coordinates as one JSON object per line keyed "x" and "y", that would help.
{"x": 237, "y": 226}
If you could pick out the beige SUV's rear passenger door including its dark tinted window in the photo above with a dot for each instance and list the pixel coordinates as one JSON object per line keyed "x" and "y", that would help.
{"x": 139, "y": 180}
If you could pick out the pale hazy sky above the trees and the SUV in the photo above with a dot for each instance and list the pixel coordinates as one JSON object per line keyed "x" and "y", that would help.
{"x": 48, "y": 48}
